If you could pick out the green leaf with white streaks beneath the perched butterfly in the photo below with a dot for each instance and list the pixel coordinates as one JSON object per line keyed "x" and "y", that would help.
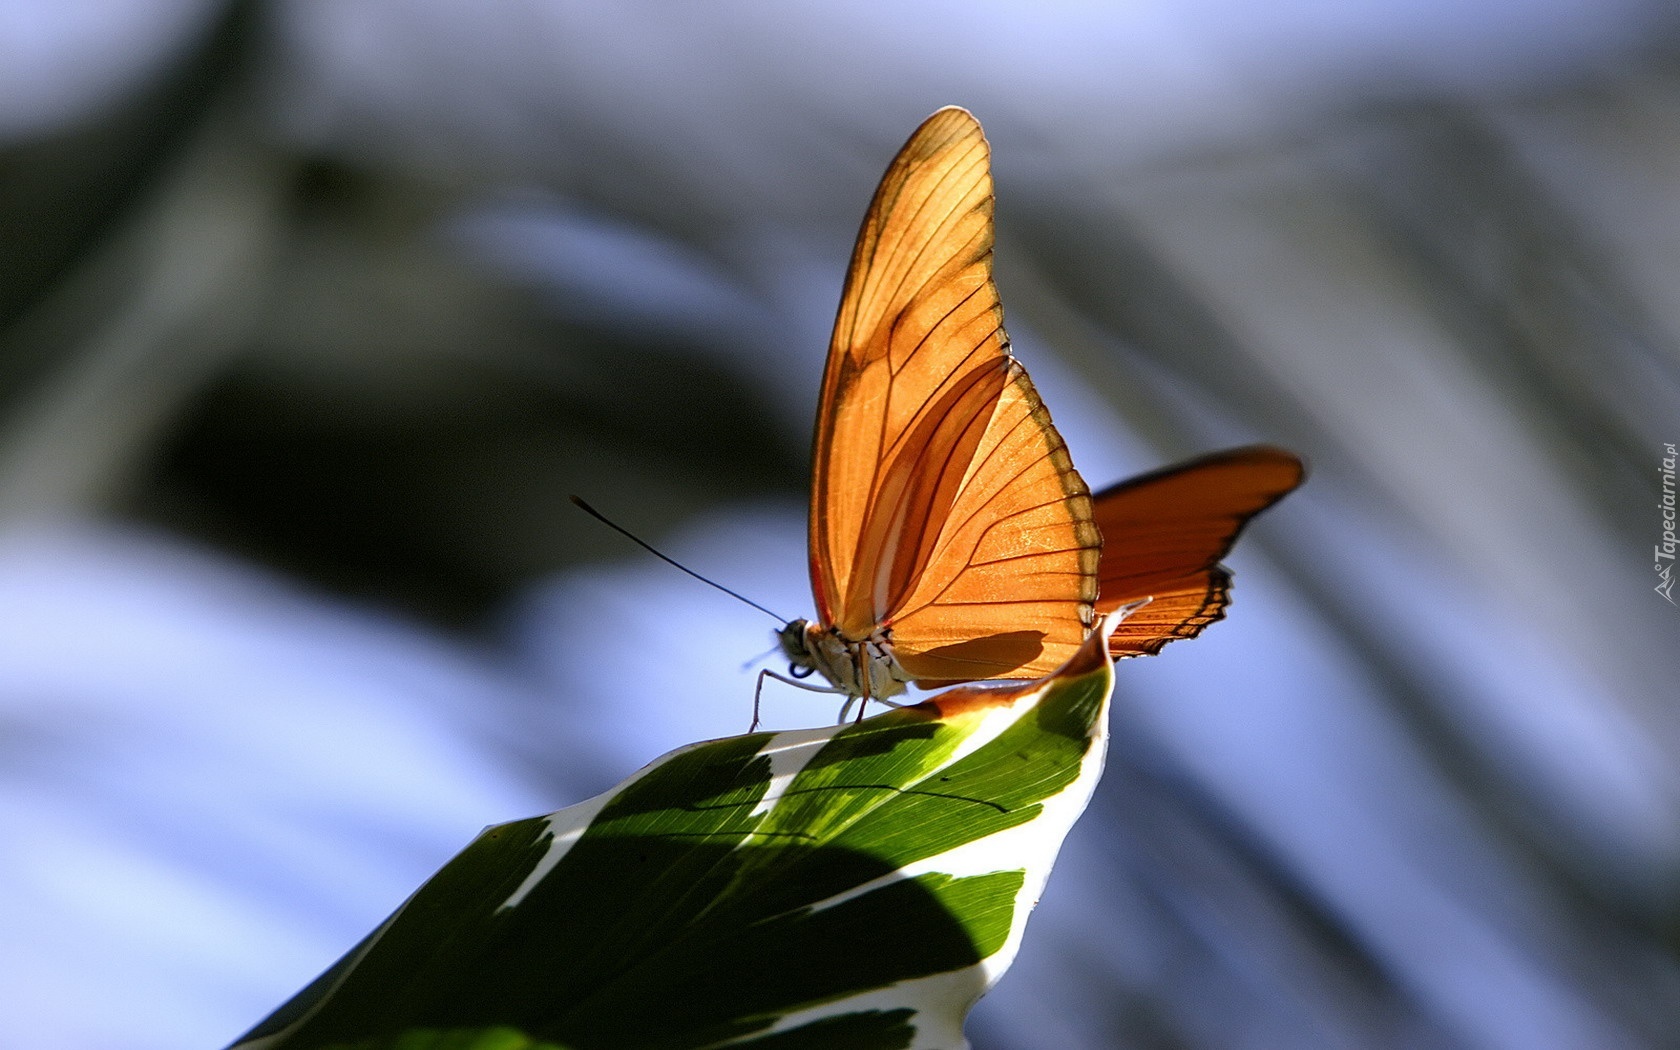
{"x": 858, "y": 886}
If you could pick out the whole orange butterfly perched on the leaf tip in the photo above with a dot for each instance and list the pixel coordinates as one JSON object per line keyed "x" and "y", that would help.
{"x": 950, "y": 537}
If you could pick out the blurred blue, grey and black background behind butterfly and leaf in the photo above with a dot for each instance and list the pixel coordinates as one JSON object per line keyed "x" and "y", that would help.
{"x": 313, "y": 315}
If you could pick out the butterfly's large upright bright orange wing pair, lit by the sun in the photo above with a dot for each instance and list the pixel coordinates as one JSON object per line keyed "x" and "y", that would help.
{"x": 943, "y": 501}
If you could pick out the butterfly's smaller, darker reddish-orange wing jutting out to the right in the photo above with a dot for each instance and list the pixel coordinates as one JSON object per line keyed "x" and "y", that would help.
{"x": 1165, "y": 533}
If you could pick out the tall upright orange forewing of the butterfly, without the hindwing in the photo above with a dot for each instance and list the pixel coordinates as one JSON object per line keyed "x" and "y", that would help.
{"x": 920, "y": 275}
